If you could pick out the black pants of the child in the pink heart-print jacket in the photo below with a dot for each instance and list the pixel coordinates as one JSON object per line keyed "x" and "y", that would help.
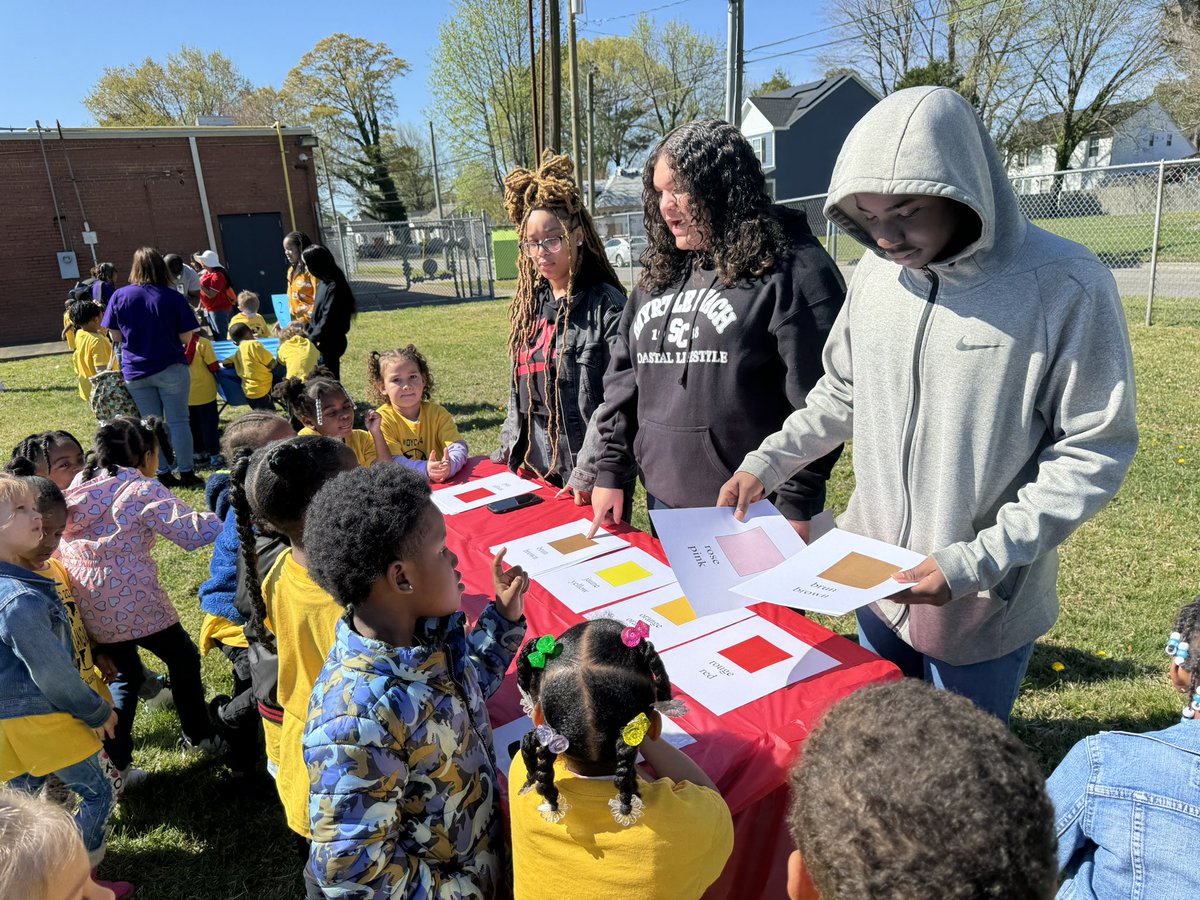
{"x": 176, "y": 649}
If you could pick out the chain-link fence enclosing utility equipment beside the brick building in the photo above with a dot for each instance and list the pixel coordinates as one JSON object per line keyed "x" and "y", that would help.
{"x": 394, "y": 265}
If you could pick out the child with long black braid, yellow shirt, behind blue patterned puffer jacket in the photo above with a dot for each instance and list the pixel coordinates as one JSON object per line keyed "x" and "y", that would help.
{"x": 291, "y": 615}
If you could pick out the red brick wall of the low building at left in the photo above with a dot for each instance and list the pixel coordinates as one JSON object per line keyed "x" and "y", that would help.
{"x": 137, "y": 191}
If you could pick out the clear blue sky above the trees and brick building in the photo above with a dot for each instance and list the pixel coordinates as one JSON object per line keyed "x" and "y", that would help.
{"x": 55, "y": 52}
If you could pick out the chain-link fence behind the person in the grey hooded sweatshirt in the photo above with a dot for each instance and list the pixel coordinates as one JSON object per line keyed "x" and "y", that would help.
{"x": 1143, "y": 221}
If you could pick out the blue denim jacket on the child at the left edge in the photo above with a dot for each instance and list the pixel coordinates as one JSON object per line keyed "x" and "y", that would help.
{"x": 39, "y": 674}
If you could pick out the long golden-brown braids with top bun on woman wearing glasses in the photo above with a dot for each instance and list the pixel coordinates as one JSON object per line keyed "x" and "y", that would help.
{"x": 550, "y": 188}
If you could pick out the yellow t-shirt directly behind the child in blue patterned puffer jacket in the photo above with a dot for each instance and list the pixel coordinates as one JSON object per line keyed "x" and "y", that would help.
{"x": 304, "y": 620}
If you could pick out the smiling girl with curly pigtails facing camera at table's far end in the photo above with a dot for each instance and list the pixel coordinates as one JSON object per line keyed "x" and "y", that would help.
{"x": 419, "y": 433}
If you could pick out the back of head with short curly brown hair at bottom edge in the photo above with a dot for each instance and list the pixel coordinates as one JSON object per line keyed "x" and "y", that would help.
{"x": 904, "y": 791}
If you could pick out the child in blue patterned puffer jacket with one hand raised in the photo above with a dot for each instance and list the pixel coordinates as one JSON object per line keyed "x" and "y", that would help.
{"x": 405, "y": 797}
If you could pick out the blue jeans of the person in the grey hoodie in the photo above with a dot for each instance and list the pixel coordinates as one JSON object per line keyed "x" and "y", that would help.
{"x": 992, "y": 686}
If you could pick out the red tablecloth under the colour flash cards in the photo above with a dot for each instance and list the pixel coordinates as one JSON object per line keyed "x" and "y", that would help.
{"x": 746, "y": 752}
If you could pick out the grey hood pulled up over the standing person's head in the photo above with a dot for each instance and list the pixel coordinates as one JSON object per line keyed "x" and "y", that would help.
{"x": 928, "y": 141}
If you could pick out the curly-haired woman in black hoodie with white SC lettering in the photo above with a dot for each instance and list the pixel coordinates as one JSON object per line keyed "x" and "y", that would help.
{"x": 723, "y": 338}
